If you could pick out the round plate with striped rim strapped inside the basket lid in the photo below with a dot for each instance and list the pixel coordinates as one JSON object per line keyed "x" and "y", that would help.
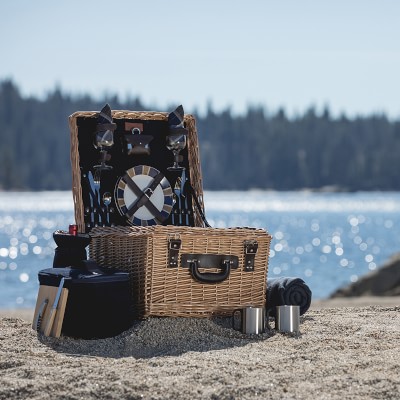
{"x": 161, "y": 197}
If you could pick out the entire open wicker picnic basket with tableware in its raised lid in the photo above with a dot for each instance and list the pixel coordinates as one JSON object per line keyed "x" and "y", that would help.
{"x": 138, "y": 193}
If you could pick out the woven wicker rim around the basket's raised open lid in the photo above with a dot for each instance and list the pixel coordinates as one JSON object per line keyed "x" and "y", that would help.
{"x": 193, "y": 157}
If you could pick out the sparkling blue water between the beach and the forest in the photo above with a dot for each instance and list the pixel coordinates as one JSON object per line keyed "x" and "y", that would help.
{"x": 327, "y": 239}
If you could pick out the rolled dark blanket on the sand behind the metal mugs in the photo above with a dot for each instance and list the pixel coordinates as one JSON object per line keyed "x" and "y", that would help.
{"x": 287, "y": 291}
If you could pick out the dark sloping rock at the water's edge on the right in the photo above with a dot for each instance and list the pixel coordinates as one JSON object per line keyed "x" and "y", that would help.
{"x": 385, "y": 281}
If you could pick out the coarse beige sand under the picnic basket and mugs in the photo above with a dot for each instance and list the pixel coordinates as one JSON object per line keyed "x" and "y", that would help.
{"x": 341, "y": 353}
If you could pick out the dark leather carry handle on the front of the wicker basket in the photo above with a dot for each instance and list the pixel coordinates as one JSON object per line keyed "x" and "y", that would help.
{"x": 196, "y": 261}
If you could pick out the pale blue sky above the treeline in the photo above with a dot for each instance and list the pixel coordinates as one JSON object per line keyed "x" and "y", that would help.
{"x": 344, "y": 54}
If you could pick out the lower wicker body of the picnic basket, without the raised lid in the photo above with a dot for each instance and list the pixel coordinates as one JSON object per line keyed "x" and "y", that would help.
{"x": 187, "y": 271}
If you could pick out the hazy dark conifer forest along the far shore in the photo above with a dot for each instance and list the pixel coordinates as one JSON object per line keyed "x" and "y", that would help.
{"x": 254, "y": 150}
